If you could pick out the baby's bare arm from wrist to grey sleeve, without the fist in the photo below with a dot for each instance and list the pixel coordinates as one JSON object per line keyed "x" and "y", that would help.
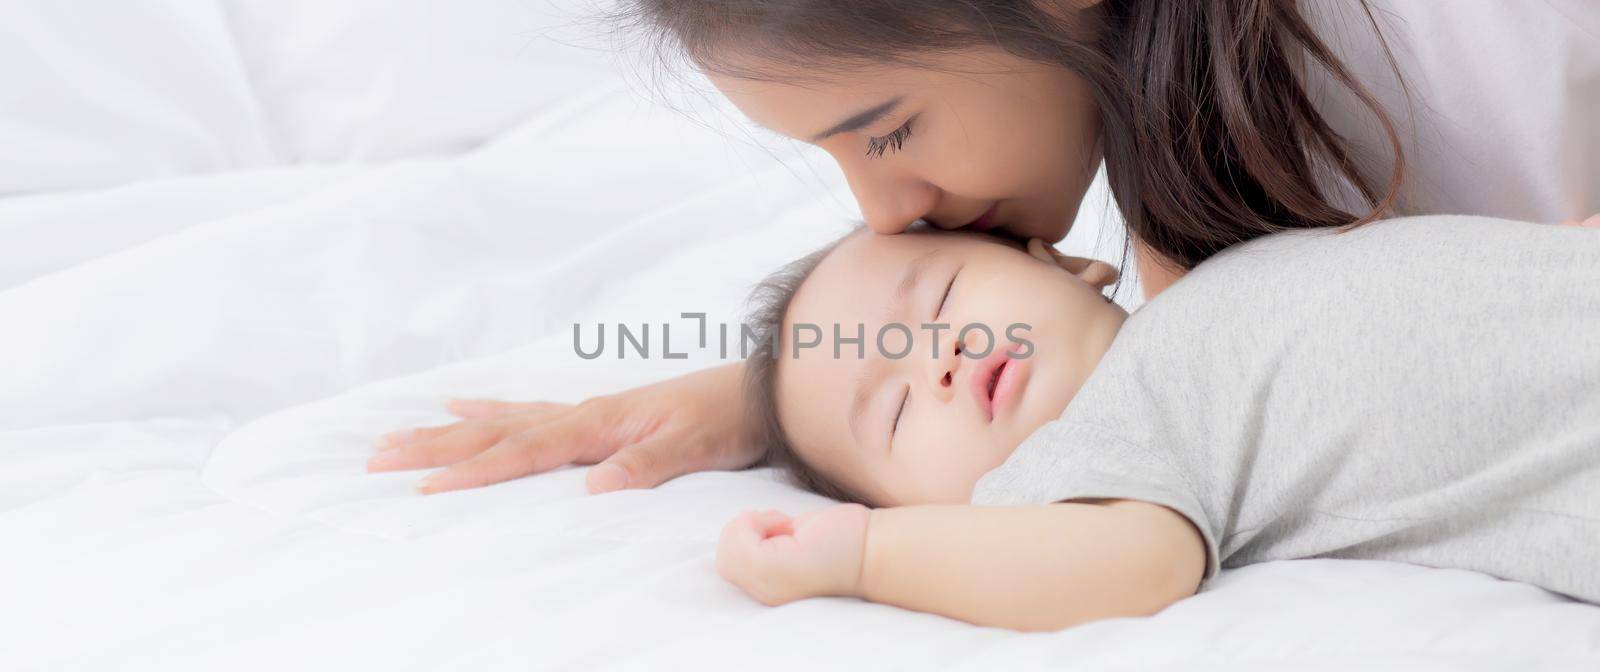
{"x": 1034, "y": 567}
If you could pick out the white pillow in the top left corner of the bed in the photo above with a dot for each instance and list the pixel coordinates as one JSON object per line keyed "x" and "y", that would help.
{"x": 97, "y": 94}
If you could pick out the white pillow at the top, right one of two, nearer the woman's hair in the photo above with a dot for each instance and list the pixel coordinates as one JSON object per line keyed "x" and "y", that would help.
{"x": 385, "y": 79}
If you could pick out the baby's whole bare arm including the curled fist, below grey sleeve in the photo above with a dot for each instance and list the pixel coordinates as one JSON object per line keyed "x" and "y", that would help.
{"x": 1028, "y": 569}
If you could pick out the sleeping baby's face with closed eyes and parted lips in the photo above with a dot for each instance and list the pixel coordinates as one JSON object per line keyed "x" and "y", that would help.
{"x": 924, "y": 428}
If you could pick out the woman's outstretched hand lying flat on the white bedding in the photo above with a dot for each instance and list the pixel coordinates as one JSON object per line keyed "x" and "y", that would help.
{"x": 641, "y": 438}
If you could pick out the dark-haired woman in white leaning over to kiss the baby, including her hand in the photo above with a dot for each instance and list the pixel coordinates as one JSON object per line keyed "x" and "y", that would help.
{"x": 1217, "y": 121}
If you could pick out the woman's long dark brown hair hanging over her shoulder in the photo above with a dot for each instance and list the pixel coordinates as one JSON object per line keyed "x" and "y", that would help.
{"x": 1209, "y": 134}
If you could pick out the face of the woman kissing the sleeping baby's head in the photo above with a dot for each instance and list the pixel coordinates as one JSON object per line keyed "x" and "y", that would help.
{"x": 977, "y": 138}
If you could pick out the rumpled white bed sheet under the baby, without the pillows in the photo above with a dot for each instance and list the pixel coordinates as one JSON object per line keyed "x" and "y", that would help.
{"x": 191, "y": 375}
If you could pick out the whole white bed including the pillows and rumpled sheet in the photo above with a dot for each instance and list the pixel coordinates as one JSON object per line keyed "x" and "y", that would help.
{"x": 242, "y": 239}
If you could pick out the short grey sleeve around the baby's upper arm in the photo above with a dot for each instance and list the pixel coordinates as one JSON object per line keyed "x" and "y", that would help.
{"x": 1074, "y": 462}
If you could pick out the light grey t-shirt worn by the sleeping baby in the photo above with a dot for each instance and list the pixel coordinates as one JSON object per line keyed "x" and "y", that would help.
{"x": 1422, "y": 391}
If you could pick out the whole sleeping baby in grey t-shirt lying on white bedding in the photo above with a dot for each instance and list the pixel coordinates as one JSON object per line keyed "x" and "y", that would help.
{"x": 1422, "y": 391}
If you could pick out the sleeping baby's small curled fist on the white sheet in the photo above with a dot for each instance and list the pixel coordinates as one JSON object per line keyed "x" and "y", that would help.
{"x": 778, "y": 559}
